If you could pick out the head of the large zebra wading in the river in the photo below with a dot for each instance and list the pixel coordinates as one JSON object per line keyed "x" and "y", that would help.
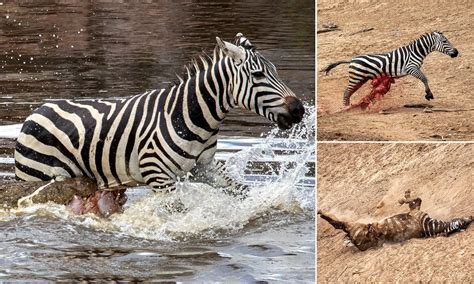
{"x": 256, "y": 85}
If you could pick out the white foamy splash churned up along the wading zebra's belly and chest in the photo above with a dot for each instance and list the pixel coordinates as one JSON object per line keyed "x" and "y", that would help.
{"x": 207, "y": 212}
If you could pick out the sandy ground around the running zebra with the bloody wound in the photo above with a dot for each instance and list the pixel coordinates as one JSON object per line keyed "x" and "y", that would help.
{"x": 396, "y": 23}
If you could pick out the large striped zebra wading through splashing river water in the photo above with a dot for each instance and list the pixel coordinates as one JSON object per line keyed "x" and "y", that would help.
{"x": 162, "y": 135}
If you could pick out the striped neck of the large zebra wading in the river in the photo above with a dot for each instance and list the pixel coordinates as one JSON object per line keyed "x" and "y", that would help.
{"x": 202, "y": 100}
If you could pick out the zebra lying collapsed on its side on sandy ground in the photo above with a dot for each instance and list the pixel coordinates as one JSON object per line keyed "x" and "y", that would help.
{"x": 397, "y": 228}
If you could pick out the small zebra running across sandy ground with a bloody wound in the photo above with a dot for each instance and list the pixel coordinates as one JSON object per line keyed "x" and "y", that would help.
{"x": 406, "y": 60}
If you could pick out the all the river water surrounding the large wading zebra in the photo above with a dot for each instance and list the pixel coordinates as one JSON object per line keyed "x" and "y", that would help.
{"x": 75, "y": 49}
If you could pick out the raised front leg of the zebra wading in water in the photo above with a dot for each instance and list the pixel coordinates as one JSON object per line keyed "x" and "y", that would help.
{"x": 215, "y": 173}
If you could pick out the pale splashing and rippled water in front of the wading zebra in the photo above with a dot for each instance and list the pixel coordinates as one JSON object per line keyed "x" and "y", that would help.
{"x": 268, "y": 236}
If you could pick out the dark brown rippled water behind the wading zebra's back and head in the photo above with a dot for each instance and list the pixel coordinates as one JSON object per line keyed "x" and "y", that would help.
{"x": 80, "y": 49}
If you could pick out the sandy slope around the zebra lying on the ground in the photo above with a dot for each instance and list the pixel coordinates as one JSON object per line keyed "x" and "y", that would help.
{"x": 364, "y": 182}
